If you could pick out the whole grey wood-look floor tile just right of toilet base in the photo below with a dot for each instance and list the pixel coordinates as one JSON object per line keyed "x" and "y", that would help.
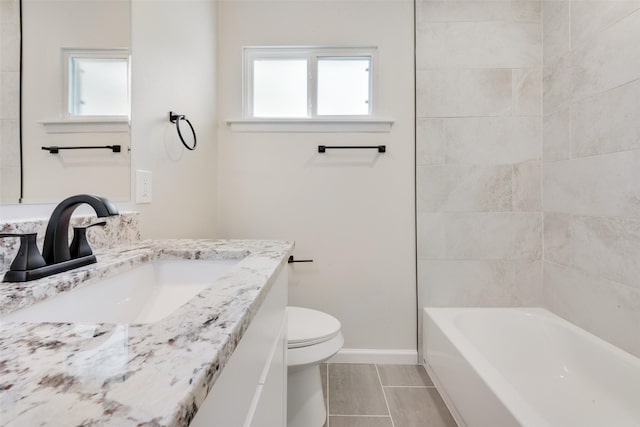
{"x": 355, "y": 390}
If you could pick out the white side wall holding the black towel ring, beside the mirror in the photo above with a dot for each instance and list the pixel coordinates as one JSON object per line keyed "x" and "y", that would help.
{"x": 174, "y": 56}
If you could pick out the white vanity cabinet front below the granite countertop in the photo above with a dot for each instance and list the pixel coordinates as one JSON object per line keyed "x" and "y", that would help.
{"x": 252, "y": 388}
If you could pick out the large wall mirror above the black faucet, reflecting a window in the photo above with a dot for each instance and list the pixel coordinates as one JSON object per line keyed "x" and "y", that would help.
{"x": 75, "y": 95}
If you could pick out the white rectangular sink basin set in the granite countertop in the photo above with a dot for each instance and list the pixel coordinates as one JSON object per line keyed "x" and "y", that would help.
{"x": 145, "y": 294}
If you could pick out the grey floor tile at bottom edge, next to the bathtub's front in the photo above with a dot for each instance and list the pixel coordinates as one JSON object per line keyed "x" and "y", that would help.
{"x": 418, "y": 407}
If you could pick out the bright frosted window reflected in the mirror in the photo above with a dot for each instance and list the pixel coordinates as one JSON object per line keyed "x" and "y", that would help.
{"x": 97, "y": 82}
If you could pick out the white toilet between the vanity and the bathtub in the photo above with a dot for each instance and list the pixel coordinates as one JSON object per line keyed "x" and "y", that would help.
{"x": 313, "y": 337}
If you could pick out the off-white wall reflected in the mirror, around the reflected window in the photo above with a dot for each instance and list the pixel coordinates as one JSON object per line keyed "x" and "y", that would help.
{"x": 49, "y": 26}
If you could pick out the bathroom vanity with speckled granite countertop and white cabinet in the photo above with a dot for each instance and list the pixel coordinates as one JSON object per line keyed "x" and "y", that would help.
{"x": 219, "y": 359}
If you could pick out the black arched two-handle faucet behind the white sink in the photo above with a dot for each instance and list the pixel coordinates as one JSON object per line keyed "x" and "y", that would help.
{"x": 56, "y": 254}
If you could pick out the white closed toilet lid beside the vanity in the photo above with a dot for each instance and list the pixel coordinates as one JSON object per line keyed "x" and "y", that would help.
{"x": 308, "y": 327}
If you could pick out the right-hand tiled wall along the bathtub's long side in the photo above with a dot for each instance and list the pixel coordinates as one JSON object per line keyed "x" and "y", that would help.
{"x": 592, "y": 166}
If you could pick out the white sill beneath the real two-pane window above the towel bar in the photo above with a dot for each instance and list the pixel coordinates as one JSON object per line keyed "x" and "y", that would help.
{"x": 310, "y": 125}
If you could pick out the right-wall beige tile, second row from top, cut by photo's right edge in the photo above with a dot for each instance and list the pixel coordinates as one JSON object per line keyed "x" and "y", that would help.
{"x": 610, "y": 59}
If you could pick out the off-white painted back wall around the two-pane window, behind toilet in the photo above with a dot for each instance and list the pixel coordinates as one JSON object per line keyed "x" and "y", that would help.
{"x": 352, "y": 212}
